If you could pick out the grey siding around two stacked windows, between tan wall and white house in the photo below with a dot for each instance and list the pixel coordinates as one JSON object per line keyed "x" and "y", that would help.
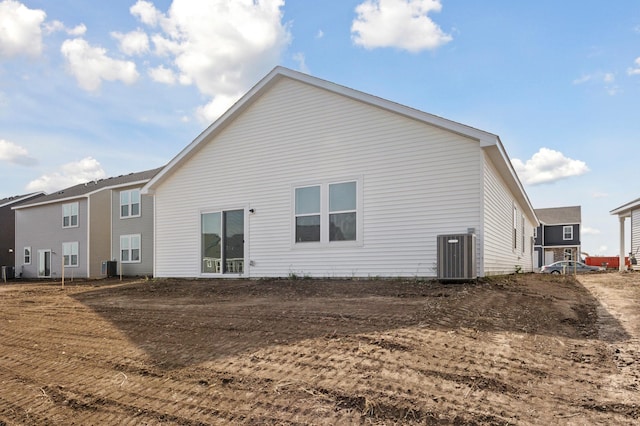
{"x": 142, "y": 225}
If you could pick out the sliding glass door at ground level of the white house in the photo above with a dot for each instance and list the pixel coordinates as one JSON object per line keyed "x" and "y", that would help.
{"x": 222, "y": 242}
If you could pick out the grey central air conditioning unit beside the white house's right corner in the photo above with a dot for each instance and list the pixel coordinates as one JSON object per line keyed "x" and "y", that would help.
{"x": 457, "y": 257}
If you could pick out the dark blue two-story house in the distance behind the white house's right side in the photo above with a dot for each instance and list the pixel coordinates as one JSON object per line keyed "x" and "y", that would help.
{"x": 558, "y": 236}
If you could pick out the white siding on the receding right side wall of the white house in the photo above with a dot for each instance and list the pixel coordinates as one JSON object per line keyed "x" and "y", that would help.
{"x": 499, "y": 255}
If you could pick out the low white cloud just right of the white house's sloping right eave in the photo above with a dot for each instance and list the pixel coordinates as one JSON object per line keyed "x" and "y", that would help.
{"x": 548, "y": 166}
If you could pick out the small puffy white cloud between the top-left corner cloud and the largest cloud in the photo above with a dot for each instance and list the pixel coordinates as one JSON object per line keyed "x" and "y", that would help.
{"x": 90, "y": 65}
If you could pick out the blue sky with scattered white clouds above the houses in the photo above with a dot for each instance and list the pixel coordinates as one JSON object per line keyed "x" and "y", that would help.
{"x": 97, "y": 89}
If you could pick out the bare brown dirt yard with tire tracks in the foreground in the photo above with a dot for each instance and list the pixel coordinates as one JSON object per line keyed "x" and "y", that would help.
{"x": 525, "y": 349}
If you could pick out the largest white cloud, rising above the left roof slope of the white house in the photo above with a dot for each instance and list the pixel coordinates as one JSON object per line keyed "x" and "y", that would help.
{"x": 220, "y": 46}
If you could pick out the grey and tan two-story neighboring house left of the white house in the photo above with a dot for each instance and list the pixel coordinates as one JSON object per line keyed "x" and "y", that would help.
{"x": 81, "y": 227}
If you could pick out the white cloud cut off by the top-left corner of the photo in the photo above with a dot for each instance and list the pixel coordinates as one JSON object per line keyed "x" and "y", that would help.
{"x": 20, "y": 31}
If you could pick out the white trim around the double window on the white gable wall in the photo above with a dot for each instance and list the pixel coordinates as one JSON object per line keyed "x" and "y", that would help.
{"x": 325, "y": 242}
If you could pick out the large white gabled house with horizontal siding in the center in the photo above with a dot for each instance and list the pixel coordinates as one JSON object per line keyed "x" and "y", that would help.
{"x": 306, "y": 177}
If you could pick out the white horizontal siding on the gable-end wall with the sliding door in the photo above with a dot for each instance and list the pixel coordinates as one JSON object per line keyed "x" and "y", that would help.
{"x": 416, "y": 181}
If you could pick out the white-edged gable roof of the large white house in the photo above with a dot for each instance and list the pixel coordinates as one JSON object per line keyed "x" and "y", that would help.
{"x": 489, "y": 142}
